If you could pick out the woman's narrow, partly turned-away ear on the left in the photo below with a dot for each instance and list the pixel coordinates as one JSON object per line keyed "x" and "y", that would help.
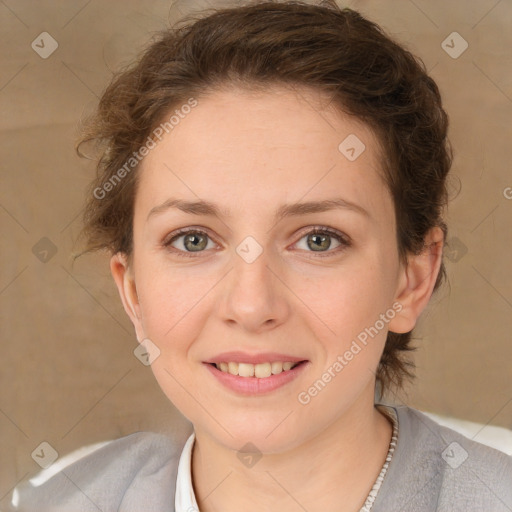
{"x": 123, "y": 276}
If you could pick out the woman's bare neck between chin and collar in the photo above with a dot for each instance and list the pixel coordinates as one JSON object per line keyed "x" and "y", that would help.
{"x": 343, "y": 462}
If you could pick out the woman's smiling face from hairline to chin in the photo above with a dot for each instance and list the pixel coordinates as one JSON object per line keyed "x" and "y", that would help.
{"x": 254, "y": 278}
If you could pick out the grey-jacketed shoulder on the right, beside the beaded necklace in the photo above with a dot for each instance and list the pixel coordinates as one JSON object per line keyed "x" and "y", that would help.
{"x": 440, "y": 469}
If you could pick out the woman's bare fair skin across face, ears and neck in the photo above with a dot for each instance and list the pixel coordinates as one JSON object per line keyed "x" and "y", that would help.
{"x": 251, "y": 153}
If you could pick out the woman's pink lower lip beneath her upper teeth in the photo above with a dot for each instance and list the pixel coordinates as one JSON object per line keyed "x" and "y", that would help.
{"x": 255, "y": 385}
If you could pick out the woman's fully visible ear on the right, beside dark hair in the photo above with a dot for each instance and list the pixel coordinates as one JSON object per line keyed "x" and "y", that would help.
{"x": 417, "y": 280}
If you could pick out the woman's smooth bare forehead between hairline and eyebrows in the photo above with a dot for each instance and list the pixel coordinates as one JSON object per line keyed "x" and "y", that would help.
{"x": 253, "y": 147}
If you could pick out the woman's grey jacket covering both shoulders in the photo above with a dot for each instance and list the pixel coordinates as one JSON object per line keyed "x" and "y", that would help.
{"x": 433, "y": 468}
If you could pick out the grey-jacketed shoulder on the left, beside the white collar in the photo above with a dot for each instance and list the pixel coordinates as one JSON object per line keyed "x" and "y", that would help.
{"x": 123, "y": 474}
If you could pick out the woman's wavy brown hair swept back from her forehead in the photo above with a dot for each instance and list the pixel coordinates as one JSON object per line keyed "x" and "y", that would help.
{"x": 332, "y": 50}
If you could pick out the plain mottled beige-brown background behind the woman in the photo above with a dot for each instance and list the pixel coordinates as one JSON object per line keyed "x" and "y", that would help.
{"x": 68, "y": 374}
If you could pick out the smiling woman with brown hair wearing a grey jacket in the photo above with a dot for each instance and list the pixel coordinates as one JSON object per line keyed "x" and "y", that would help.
{"x": 271, "y": 188}
